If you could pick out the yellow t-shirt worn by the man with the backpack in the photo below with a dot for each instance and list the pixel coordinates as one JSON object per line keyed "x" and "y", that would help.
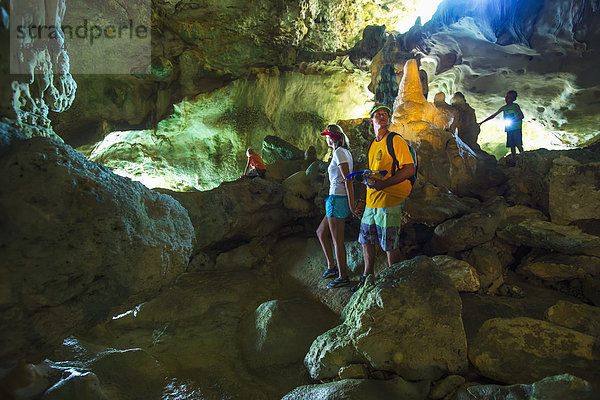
{"x": 379, "y": 160}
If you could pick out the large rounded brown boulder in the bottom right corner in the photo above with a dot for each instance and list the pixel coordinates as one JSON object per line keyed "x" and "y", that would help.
{"x": 524, "y": 350}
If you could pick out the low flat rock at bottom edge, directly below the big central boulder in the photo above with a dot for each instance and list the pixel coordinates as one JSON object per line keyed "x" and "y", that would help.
{"x": 361, "y": 389}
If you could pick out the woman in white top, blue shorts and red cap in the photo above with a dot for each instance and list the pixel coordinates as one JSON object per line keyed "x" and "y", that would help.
{"x": 338, "y": 205}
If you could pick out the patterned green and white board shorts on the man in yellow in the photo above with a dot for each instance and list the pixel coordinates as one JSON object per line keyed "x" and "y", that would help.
{"x": 381, "y": 225}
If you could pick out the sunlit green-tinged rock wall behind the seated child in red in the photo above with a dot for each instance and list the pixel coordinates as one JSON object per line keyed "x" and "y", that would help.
{"x": 204, "y": 141}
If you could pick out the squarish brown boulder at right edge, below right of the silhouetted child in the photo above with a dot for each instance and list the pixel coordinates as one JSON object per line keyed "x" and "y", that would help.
{"x": 570, "y": 197}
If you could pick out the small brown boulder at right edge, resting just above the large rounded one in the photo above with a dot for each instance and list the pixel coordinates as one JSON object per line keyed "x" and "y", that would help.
{"x": 580, "y": 317}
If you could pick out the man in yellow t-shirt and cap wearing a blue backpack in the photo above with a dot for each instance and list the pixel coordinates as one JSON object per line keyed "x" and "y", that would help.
{"x": 382, "y": 218}
